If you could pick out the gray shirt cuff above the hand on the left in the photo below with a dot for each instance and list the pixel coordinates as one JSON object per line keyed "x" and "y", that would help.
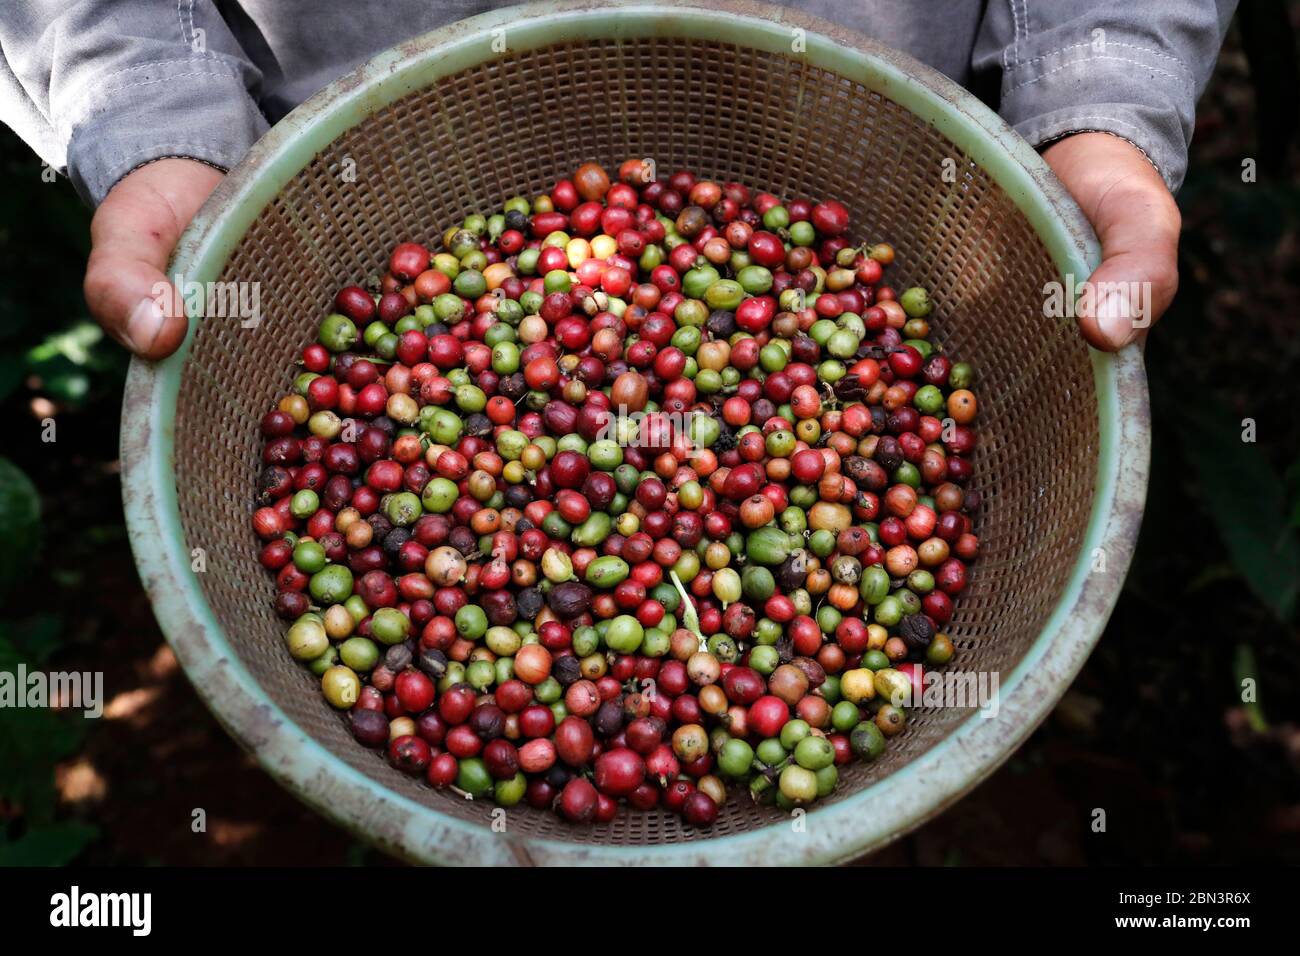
{"x": 194, "y": 110}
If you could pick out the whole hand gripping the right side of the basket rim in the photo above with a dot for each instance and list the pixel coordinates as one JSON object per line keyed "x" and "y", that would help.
{"x": 1138, "y": 223}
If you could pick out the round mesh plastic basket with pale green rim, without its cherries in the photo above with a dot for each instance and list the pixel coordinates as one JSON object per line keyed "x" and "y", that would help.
{"x": 457, "y": 122}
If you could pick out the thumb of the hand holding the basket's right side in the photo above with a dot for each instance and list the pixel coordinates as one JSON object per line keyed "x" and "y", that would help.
{"x": 1139, "y": 271}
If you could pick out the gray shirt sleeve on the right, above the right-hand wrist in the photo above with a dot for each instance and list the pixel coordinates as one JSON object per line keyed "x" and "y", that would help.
{"x": 1134, "y": 68}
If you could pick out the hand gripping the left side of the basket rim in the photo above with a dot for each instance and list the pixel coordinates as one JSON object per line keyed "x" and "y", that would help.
{"x": 133, "y": 235}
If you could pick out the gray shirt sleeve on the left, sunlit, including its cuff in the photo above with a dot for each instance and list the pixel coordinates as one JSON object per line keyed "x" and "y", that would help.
{"x": 99, "y": 88}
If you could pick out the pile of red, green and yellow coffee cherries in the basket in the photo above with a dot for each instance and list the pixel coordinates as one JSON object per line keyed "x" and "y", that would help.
{"x": 640, "y": 491}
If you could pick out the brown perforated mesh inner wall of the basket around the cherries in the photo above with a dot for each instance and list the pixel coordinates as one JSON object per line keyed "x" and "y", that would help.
{"x": 521, "y": 120}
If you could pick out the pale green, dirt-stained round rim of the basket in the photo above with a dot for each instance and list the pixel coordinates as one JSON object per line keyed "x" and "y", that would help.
{"x": 847, "y": 829}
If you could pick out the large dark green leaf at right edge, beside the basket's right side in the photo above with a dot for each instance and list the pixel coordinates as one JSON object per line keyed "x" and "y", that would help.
{"x": 1247, "y": 503}
